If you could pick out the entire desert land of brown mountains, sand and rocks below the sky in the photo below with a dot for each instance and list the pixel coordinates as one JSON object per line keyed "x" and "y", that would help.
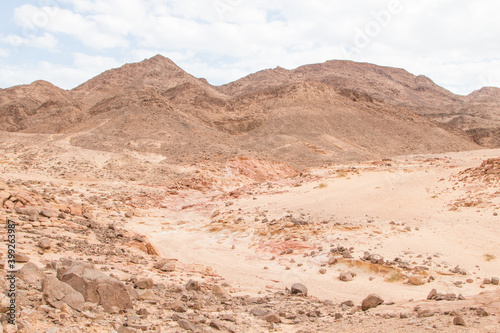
{"x": 335, "y": 197}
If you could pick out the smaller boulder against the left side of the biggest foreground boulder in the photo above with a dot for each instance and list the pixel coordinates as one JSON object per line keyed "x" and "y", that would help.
{"x": 56, "y": 293}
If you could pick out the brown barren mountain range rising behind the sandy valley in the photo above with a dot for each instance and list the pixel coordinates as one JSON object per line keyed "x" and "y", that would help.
{"x": 336, "y": 111}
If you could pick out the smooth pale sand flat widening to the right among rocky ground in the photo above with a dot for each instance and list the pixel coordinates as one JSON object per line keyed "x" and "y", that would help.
{"x": 413, "y": 192}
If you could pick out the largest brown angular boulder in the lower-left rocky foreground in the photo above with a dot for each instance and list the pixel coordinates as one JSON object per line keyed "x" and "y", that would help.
{"x": 97, "y": 287}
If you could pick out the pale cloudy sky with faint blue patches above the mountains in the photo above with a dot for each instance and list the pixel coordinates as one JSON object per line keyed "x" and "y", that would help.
{"x": 454, "y": 42}
